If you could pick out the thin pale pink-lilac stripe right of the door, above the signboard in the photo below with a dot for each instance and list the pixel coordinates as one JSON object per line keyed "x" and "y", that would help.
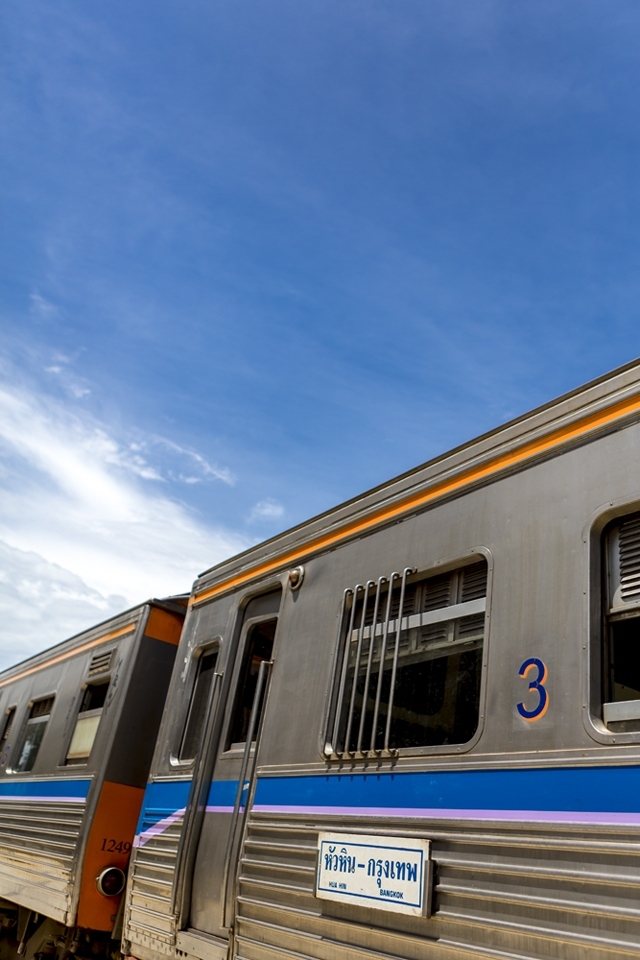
{"x": 437, "y": 813}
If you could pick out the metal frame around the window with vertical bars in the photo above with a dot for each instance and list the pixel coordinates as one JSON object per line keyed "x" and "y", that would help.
{"x": 423, "y": 572}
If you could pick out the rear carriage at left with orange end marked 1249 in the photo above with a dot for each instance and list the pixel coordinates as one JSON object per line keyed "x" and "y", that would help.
{"x": 78, "y": 725}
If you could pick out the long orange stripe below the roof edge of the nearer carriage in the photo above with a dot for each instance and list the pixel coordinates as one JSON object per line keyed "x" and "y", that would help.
{"x": 521, "y": 454}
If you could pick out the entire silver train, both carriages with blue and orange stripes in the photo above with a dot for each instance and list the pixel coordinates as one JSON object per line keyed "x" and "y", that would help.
{"x": 407, "y": 728}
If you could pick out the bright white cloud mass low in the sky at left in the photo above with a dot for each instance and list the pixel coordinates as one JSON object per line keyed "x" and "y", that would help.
{"x": 84, "y": 512}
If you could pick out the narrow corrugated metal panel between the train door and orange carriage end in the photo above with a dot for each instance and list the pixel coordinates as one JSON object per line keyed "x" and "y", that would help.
{"x": 148, "y": 918}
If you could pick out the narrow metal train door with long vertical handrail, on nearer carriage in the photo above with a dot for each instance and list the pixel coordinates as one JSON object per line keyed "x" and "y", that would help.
{"x": 209, "y": 889}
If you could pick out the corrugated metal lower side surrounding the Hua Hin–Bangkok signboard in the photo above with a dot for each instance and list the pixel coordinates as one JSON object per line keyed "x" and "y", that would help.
{"x": 511, "y": 893}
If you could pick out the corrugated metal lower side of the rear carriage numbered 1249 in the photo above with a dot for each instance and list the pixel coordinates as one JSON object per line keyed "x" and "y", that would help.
{"x": 38, "y": 842}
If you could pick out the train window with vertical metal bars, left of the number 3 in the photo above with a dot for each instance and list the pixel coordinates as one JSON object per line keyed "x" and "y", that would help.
{"x": 409, "y": 664}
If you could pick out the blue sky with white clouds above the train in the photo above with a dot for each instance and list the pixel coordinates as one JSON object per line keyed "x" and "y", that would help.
{"x": 257, "y": 257}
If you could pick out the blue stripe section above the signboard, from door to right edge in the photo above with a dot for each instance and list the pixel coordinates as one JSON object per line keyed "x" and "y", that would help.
{"x": 615, "y": 789}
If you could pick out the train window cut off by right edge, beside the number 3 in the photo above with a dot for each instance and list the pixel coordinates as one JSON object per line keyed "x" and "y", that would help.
{"x": 621, "y": 709}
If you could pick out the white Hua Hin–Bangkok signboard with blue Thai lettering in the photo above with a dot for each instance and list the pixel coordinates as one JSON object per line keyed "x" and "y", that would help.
{"x": 387, "y": 873}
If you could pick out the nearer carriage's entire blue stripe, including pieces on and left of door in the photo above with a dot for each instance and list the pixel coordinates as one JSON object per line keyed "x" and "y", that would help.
{"x": 597, "y": 791}
